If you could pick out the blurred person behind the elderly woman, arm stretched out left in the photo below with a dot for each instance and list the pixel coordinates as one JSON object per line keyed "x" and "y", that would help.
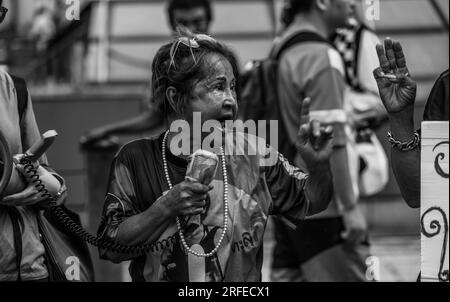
{"x": 196, "y": 16}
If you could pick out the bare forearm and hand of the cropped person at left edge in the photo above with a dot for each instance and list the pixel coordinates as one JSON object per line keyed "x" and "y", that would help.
{"x": 31, "y": 195}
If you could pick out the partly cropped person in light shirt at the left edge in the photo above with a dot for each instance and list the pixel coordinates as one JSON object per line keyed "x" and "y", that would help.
{"x": 21, "y": 132}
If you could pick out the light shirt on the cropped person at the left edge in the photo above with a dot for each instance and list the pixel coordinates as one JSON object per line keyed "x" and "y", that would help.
{"x": 20, "y": 135}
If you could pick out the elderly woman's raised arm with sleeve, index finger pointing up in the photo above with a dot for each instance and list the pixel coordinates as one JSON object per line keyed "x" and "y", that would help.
{"x": 295, "y": 194}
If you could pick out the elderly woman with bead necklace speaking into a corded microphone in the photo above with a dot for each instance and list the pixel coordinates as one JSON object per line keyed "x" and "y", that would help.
{"x": 206, "y": 232}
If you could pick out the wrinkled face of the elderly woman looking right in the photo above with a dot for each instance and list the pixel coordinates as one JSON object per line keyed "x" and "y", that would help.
{"x": 215, "y": 96}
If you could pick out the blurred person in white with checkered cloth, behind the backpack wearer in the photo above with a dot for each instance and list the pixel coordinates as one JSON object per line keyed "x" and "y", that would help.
{"x": 356, "y": 42}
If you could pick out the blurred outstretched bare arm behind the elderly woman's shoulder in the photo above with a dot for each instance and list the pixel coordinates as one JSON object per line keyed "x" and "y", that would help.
{"x": 147, "y": 121}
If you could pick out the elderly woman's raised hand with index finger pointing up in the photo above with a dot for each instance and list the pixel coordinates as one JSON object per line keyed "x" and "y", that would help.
{"x": 314, "y": 142}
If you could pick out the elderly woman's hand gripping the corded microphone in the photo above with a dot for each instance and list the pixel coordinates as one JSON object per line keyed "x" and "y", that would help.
{"x": 186, "y": 199}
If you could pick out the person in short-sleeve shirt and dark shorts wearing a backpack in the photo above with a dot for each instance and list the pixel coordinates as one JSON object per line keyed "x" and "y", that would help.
{"x": 331, "y": 246}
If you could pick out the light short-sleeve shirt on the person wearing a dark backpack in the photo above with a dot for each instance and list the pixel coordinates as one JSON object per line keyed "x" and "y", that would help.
{"x": 316, "y": 70}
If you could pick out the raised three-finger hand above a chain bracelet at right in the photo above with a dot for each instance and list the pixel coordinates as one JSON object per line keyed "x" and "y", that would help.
{"x": 397, "y": 88}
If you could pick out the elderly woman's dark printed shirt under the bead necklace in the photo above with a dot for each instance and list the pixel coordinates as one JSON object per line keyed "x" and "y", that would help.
{"x": 256, "y": 190}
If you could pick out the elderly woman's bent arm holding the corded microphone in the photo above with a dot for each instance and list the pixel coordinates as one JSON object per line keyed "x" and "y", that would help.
{"x": 123, "y": 223}
